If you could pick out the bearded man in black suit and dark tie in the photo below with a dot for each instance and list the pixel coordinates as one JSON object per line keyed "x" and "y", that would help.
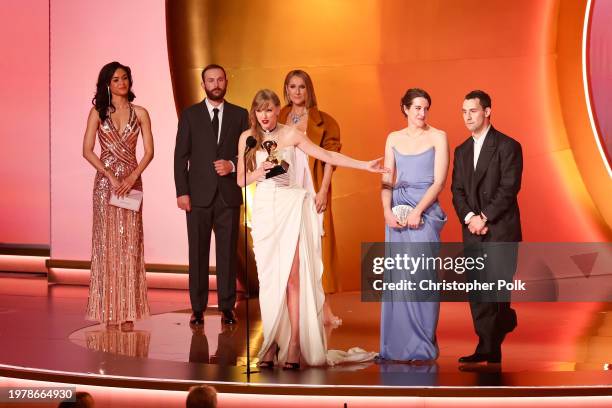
{"x": 205, "y": 177}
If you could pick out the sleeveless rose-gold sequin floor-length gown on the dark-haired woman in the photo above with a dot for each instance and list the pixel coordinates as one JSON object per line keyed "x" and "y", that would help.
{"x": 117, "y": 289}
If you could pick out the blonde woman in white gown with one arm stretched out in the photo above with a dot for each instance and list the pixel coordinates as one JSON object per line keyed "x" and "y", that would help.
{"x": 286, "y": 234}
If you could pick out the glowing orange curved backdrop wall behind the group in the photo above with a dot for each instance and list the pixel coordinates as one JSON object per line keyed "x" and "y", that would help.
{"x": 363, "y": 55}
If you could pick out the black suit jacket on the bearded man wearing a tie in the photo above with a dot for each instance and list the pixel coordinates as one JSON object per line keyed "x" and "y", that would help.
{"x": 196, "y": 149}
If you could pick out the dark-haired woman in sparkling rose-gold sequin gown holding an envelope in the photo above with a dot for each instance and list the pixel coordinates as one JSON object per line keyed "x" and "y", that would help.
{"x": 117, "y": 290}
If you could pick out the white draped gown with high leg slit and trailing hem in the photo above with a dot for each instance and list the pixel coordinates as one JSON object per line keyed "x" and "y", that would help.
{"x": 284, "y": 217}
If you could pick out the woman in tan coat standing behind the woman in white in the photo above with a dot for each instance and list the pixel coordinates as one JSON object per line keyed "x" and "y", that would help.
{"x": 302, "y": 112}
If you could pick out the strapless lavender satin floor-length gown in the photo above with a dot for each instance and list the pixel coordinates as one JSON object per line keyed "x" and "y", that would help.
{"x": 408, "y": 328}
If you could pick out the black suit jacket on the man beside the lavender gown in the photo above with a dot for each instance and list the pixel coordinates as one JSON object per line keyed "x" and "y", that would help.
{"x": 492, "y": 188}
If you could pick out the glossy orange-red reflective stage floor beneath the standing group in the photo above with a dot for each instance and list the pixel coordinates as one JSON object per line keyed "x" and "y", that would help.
{"x": 558, "y": 349}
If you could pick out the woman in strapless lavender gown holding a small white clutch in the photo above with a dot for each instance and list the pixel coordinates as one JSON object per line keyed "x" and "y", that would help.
{"x": 418, "y": 158}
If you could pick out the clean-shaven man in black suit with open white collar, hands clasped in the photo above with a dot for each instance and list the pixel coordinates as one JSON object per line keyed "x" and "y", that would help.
{"x": 486, "y": 180}
